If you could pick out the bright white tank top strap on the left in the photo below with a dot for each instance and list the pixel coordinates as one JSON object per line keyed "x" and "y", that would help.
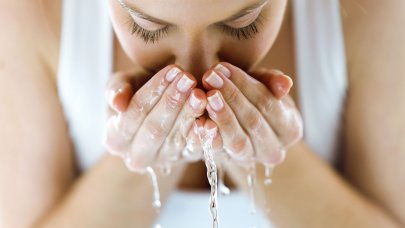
{"x": 85, "y": 64}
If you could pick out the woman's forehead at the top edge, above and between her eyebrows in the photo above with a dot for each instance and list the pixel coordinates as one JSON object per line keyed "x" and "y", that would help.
{"x": 191, "y": 11}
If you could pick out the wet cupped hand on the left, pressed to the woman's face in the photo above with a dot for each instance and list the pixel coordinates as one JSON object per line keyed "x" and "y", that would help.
{"x": 151, "y": 121}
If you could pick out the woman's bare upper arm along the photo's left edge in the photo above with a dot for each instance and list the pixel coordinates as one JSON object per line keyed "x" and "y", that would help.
{"x": 36, "y": 161}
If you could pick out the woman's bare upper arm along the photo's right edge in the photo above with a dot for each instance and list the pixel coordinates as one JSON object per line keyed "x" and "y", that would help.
{"x": 374, "y": 118}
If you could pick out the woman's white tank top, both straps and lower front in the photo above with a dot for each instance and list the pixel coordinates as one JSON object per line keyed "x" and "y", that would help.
{"x": 86, "y": 63}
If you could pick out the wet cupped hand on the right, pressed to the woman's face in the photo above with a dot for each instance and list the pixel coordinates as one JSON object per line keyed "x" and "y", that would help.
{"x": 256, "y": 118}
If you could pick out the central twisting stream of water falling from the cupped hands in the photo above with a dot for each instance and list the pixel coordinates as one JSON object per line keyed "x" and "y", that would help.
{"x": 206, "y": 139}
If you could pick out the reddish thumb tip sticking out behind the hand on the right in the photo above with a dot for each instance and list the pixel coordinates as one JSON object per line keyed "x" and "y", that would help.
{"x": 276, "y": 81}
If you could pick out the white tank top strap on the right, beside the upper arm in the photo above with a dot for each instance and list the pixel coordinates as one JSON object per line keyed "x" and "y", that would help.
{"x": 321, "y": 69}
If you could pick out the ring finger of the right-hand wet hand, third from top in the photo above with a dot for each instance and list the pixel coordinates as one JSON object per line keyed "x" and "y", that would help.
{"x": 234, "y": 138}
